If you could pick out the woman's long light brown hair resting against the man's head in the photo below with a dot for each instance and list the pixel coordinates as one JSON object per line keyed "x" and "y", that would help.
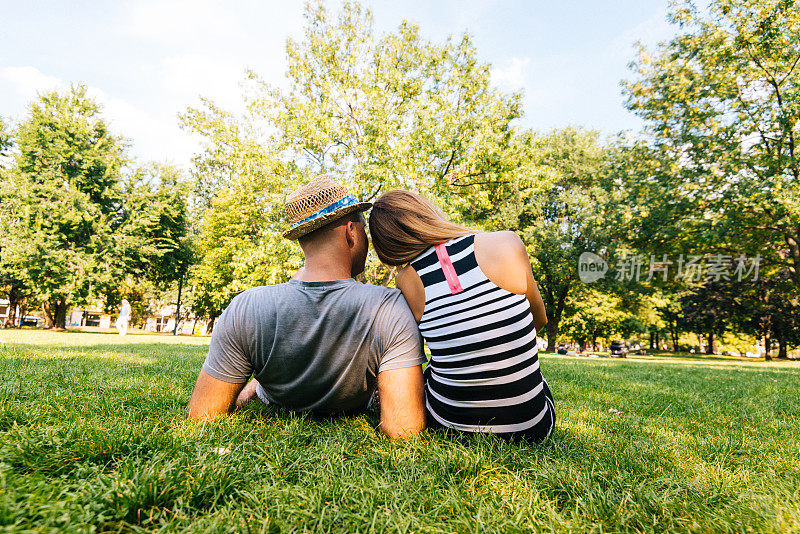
{"x": 403, "y": 224}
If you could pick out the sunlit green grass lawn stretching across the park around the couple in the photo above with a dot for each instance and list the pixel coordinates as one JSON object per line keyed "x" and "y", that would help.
{"x": 92, "y": 437}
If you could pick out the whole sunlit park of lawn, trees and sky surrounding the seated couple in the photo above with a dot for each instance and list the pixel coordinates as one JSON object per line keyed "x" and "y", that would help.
{"x": 692, "y": 154}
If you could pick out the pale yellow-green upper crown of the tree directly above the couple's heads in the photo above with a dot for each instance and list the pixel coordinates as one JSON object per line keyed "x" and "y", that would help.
{"x": 389, "y": 112}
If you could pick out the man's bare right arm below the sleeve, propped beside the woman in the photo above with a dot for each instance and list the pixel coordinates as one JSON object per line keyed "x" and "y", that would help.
{"x": 402, "y": 402}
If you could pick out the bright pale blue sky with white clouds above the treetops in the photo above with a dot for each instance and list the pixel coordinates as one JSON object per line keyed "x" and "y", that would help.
{"x": 147, "y": 60}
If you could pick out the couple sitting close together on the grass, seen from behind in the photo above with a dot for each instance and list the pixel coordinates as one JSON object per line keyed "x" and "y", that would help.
{"x": 323, "y": 342}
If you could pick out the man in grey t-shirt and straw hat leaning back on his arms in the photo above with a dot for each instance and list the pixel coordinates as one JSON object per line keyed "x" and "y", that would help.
{"x": 321, "y": 342}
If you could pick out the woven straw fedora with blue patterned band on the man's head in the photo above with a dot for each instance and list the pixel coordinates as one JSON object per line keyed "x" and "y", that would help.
{"x": 321, "y": 201}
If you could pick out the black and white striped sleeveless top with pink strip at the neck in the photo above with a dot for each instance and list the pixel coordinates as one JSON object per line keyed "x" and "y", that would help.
{"x": 484, "y": 371}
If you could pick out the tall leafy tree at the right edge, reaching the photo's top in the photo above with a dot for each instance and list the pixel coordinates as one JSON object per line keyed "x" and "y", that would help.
{"x": 721, "y": 106}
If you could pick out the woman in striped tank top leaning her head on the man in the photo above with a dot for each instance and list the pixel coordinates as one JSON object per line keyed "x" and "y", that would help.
{"x": 478, "y": 308}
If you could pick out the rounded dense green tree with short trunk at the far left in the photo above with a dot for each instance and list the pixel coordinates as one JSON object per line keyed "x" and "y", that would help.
{"x": 62, "y": 200}
